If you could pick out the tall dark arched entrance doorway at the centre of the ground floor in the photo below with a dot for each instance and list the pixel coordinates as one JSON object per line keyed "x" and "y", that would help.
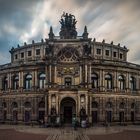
{"x": 67, "y": 109}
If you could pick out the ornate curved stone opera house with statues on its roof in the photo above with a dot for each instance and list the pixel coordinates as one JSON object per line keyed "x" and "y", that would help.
{"x": 70, "y": 75}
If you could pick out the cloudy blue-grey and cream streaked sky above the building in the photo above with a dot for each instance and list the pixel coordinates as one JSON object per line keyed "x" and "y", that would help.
{"x": 25, "y": 20}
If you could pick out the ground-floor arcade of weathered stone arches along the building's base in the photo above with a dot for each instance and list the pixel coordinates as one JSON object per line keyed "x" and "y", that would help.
{"x": 69, "y": 107}
